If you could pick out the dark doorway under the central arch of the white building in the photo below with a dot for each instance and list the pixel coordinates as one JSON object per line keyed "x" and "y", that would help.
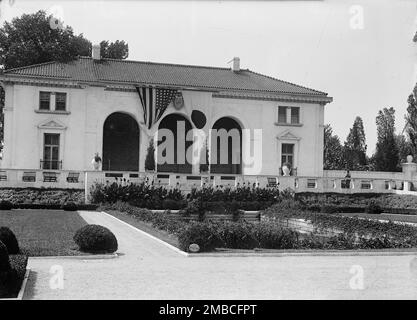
{"x": 170, "y": 122}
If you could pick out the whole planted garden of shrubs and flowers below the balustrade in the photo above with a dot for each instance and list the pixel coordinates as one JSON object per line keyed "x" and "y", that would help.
{"x": 196, "y": 226}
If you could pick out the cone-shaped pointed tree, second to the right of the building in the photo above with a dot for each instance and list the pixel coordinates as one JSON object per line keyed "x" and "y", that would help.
{"x": 354, "y": 152}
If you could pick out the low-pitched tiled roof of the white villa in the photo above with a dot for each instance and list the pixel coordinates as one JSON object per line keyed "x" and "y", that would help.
{"x": 85, "y": 69}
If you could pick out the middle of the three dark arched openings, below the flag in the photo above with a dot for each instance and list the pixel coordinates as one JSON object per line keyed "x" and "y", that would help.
{"x": 179, "y": 126}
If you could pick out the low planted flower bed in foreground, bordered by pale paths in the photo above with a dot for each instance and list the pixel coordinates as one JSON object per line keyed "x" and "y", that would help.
{"x": 272, "y": 234}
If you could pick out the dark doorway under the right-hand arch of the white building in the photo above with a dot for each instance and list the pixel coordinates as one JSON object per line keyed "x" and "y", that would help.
{"x": 234, "y": 150}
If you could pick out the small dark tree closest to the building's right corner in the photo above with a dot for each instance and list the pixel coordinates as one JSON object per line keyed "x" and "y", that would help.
{"x": 333, "y": 150}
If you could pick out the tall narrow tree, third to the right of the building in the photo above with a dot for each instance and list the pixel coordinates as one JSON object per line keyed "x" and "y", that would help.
{"x": 386, "y": 157}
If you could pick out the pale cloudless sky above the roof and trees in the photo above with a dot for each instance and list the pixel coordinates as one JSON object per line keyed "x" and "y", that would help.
{"x": 360, "y": 52}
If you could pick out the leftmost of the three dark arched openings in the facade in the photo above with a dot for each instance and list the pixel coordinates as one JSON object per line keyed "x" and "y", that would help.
{"x": 120, "y": 143}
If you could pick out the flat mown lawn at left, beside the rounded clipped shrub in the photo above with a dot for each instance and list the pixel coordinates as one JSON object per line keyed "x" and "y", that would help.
{"x": 44, "y": 232}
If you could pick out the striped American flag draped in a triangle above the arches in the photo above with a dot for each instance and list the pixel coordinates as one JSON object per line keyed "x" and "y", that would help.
{"x": 154, "y": 103}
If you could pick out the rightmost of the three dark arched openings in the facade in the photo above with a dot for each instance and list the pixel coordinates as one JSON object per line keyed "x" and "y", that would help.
{"x": 226, "y": 147}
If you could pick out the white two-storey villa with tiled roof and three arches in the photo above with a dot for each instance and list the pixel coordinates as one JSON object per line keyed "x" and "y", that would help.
{"x": 58, "y": 115}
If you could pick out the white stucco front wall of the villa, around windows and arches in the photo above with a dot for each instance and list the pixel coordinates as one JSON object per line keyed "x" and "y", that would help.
{"x": 81, "y": 126}
